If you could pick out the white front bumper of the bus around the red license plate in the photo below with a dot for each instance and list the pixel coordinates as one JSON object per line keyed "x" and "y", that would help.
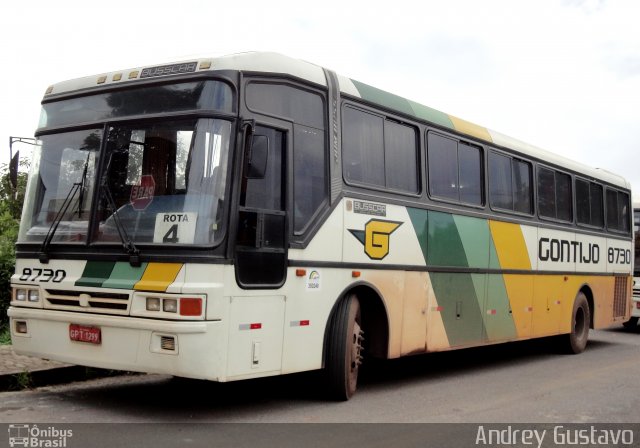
{"x": 127, "y": 343}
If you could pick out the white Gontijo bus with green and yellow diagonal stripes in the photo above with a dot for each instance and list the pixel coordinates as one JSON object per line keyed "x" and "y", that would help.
{"x": 253, "y": 215}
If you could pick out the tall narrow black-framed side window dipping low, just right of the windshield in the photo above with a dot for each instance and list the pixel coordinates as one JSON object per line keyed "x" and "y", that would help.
{"x": 261, "y": 240}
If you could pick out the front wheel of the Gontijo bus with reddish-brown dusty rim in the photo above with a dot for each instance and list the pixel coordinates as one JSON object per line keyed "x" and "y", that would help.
{"x": 344, "y": 350}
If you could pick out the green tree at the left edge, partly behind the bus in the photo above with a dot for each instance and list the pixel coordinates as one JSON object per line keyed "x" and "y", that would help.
{"x": 11, "y": 201}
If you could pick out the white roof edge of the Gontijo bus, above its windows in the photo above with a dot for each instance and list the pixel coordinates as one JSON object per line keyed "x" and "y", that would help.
{"x": 277, "y": 63}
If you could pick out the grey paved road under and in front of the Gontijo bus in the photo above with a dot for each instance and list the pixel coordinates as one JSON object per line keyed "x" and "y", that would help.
{"x": 509, "y": 383}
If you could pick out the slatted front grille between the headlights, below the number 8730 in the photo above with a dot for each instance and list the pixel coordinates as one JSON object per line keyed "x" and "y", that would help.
{"x": 89, "y": 301}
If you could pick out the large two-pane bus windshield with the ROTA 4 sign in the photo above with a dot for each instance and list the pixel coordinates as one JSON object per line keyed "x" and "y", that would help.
{"x": 162, "y": 183}
